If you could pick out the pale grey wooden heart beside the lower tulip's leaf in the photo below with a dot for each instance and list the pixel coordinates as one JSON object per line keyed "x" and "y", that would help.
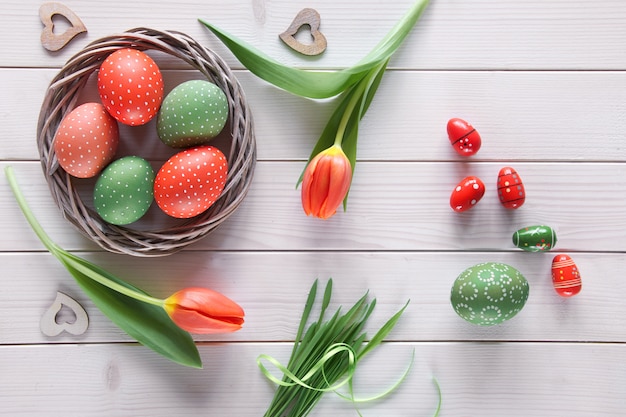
{"x": 49, "y": 325}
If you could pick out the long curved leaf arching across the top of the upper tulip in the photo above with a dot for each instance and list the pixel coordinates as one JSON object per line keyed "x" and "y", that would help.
{"x": 316, "y": 83}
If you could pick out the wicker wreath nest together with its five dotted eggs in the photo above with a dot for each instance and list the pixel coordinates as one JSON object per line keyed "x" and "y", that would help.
{"x": 140, "y": 162}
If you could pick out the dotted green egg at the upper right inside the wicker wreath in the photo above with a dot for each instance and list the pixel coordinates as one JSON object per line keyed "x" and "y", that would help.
{"x": 193, "y": 113}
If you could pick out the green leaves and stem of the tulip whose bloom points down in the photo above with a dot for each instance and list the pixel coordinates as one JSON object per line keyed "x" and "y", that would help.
{"x": 355, "y": 85}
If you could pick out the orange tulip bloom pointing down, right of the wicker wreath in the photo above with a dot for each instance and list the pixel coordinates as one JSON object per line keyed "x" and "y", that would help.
{"x": 326, "y": 182}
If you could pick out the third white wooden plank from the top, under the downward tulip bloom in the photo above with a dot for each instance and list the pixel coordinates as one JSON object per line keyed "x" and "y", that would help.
{"x": 410, "y": 212}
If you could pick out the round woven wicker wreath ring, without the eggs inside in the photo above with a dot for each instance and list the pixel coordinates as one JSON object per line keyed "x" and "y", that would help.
{"x": 61, "y": 98}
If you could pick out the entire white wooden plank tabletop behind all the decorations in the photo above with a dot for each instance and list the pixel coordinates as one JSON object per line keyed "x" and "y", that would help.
{"x": 545, "y": 84}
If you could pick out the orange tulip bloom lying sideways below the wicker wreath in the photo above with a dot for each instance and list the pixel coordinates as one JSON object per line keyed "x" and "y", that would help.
{"x": 201, "y": 310}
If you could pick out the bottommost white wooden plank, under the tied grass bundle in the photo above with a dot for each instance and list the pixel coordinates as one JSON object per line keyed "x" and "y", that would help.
{"x": 476, "y": 378}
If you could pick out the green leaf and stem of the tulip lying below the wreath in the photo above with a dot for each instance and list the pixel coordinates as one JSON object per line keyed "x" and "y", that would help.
{"x": 147, "y": 322}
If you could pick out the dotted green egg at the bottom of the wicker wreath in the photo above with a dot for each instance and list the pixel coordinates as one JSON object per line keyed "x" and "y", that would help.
{"x": 124, "y": 190}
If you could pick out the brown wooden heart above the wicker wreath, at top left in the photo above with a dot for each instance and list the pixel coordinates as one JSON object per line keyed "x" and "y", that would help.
{"x": 49, "y": 39}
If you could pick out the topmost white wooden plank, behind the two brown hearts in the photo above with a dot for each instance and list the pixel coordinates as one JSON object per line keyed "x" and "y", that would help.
{"x": 532, "y": 34}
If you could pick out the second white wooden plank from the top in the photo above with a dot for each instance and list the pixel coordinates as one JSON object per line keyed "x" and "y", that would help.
{"x": 523, "y": 115}
